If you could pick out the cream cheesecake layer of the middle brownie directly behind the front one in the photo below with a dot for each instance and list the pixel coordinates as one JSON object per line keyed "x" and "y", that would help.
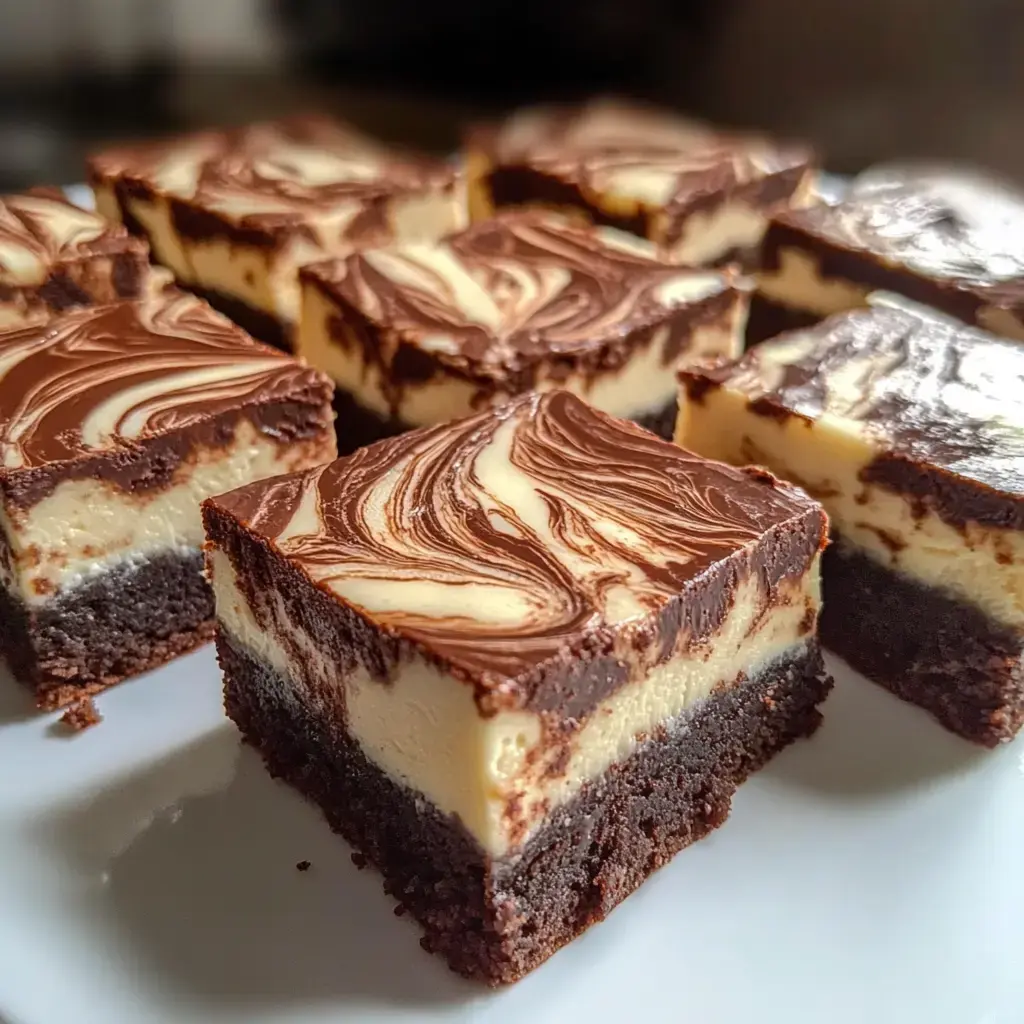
{"x": 644, "y": 383}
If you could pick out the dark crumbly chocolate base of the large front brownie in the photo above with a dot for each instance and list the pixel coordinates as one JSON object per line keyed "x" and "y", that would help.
{"x": 496, "y": 922}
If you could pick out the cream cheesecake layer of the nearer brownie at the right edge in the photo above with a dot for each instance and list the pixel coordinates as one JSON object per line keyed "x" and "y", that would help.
{"x": 980, "y": 565}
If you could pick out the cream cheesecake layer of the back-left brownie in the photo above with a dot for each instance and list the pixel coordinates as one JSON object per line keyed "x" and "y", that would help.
{"x": 267, "y": 278}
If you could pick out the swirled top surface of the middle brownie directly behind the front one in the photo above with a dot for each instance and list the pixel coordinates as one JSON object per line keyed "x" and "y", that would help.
{"x": 508, "y": 291}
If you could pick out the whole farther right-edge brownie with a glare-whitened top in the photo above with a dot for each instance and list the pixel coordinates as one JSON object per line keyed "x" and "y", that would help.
{"x": 948, "y": 241}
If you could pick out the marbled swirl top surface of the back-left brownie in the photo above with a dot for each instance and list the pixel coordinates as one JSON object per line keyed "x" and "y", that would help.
{"x": 273, "y": 175}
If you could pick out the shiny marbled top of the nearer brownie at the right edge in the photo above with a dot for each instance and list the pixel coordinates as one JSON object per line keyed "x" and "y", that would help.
{"x": 924, "y": 389}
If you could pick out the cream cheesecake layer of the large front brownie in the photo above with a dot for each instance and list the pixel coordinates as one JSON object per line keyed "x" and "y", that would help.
{"x": 502, "y": 777}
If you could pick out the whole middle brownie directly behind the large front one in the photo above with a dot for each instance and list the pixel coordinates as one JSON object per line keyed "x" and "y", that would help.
{"x": 421, "y": 334}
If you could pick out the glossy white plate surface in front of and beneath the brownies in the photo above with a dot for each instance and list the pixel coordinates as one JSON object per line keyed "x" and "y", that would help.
{"x": 148, "y": 874}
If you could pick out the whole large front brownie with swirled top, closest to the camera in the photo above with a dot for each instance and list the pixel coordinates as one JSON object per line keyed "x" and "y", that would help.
{"x": 520, "y": 661}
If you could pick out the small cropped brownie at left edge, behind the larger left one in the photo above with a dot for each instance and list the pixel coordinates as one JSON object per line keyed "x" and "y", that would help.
{"x": 56, "y": 257}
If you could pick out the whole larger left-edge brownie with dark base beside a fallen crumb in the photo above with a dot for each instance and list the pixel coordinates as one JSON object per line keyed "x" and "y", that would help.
{"x": 115, "y": 423}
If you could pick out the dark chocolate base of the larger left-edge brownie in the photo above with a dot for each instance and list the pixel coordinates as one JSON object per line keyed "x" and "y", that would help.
{"x": 119, "y": 625}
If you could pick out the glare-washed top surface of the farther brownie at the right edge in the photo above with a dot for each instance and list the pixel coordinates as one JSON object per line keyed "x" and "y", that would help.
{"x": 952, "y": 227}
